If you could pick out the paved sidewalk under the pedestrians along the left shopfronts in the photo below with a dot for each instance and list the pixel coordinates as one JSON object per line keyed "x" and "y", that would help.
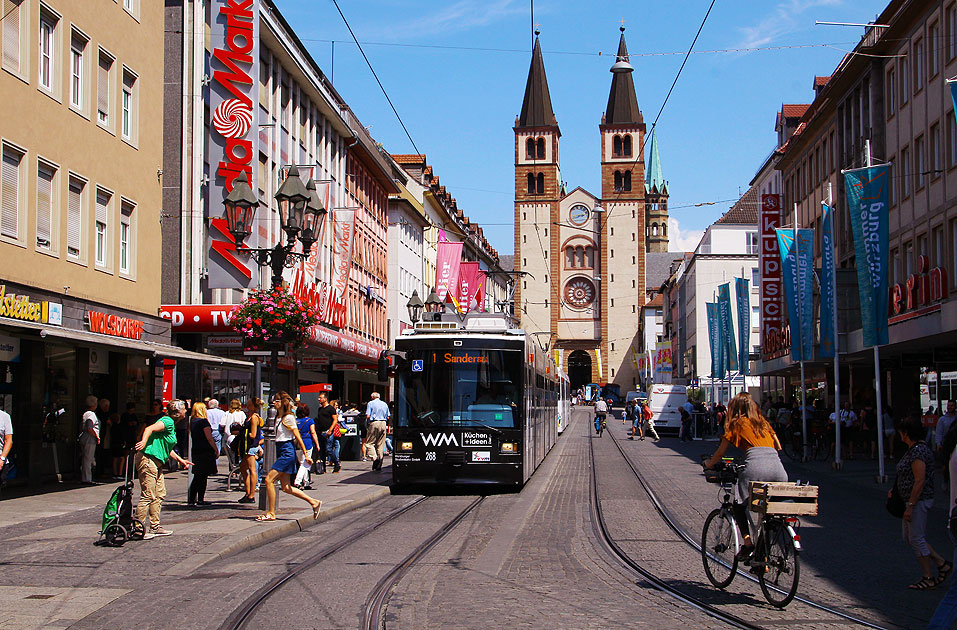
{"x": 68, "y": 517}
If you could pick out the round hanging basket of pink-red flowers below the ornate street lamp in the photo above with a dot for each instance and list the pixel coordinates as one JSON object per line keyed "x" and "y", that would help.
{"x": 270, "y": 318}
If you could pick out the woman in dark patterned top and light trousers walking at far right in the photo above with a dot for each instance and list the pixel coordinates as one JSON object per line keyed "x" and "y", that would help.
{"x": 915, "y": 483}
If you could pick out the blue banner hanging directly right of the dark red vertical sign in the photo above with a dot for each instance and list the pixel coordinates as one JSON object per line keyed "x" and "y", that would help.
{"x": 797, "y": 259}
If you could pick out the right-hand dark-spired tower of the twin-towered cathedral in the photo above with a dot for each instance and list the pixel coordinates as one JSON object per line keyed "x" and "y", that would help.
{"x": 622, "y": 231}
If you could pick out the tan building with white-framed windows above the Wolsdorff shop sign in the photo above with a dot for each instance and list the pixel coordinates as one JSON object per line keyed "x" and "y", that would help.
{"x": 80, "y": 196}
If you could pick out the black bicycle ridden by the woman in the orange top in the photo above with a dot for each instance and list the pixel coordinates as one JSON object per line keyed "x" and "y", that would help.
{"x": 775, "y": 557}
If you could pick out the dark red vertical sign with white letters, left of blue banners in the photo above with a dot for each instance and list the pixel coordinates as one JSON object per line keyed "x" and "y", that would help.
{"x": 770, "y": 265}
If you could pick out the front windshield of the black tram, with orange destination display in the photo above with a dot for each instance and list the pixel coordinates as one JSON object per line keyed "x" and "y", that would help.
{"x": 476, "y": 387}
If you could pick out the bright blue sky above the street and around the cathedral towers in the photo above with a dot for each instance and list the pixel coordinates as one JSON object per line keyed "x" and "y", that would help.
{"x": 456, "y": 73}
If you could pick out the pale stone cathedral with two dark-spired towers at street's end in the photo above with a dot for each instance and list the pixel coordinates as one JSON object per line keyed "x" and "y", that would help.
{"x": 585, "y": 254}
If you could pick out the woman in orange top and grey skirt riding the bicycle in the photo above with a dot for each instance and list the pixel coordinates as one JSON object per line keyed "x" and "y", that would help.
{"x": 748, "y": 430}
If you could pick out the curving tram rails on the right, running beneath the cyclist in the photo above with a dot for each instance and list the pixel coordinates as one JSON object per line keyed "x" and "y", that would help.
{"x": 690, "y": 540}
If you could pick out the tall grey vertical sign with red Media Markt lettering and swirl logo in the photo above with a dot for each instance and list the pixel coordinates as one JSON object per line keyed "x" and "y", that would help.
{"x": 233, "y": 135}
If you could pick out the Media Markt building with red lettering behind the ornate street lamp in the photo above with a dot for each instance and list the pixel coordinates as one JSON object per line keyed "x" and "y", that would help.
{"x": 245, "y": 95}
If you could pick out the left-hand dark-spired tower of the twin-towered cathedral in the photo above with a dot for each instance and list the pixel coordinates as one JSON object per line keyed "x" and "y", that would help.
{"x": 537, "y": 194}
